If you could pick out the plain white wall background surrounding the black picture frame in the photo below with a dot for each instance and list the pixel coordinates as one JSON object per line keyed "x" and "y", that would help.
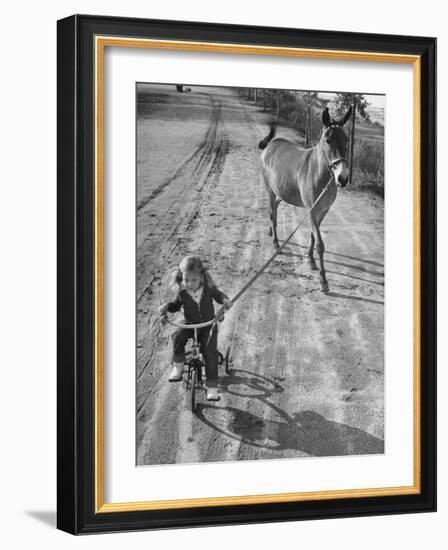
{"x": 28, "y": 273}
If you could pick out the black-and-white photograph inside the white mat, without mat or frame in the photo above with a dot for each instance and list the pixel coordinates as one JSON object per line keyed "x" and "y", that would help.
{"x": 259, "y": 273}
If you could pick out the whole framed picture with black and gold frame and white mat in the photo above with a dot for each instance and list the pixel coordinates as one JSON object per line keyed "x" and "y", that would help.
{"x": 246, "y": 274}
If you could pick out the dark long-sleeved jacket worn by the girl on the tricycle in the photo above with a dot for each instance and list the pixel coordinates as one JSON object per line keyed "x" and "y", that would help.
{"x": 194, "y": 312}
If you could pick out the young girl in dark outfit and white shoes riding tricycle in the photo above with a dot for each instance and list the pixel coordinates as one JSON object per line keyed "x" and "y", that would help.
{"x": 195, "y": 294}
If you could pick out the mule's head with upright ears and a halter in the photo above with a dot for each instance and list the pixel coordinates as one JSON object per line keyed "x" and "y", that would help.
{"x": 334, "y": 146}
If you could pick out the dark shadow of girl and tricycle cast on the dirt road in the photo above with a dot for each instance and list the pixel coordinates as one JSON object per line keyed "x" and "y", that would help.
{"x": 304, "y": 431}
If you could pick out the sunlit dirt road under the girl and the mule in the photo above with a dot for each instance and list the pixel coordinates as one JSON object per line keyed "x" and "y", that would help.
{"x": 307, "y": 368}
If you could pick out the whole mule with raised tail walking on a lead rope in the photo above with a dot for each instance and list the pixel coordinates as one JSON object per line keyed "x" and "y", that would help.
{"x": 298, "y": 176}
